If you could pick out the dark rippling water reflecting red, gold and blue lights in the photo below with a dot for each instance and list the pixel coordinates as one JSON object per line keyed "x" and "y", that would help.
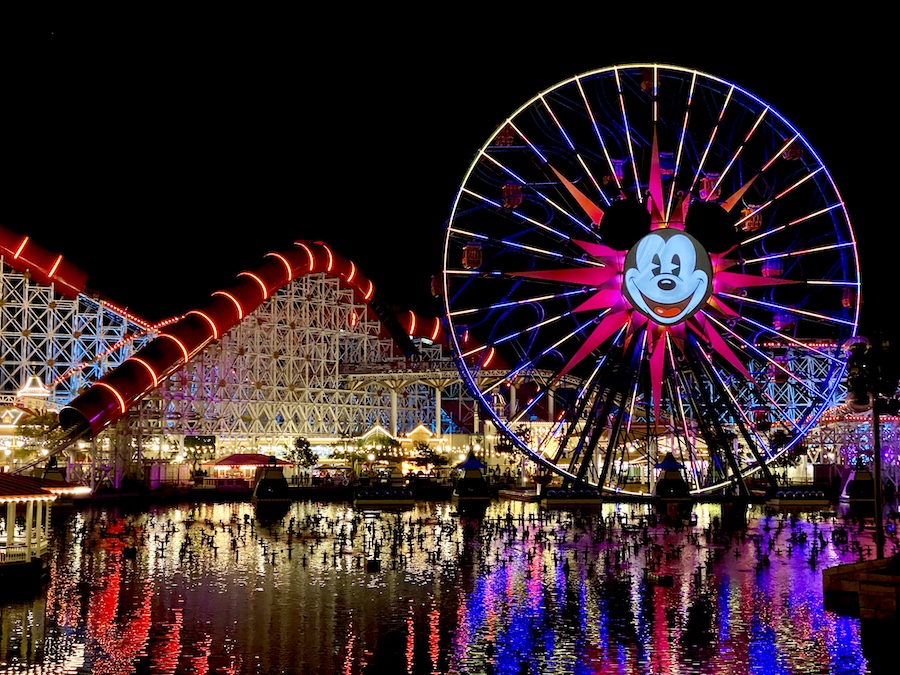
{"x": 322, "y": 588}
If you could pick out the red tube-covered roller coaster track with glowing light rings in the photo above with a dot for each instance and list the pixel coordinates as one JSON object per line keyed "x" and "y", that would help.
{"x": 181, "y": 339}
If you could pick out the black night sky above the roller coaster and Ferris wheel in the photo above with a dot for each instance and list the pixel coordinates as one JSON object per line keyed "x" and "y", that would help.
{"x": 163, "y": 155}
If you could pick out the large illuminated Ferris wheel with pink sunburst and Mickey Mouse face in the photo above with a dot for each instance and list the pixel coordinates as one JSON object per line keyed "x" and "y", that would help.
{"x": 647, "y": 259}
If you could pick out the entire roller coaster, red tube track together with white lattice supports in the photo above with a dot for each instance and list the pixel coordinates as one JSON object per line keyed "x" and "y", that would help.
{"x": 301, "y": 346}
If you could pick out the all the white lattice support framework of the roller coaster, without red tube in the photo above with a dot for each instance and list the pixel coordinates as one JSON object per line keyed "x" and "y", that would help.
{"x": 311, "y": 361}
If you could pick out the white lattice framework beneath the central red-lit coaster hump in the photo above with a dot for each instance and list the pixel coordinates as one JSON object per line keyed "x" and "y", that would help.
{"x": 280, "y": 374}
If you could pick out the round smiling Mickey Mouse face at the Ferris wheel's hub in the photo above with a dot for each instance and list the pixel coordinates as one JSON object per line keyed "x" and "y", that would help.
{"x": 668, "y": 276}
